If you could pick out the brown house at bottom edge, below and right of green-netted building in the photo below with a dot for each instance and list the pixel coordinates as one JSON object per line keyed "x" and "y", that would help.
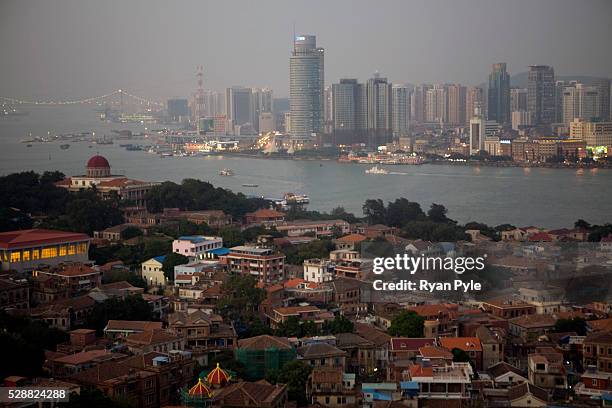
{"x": 327, "y": 386}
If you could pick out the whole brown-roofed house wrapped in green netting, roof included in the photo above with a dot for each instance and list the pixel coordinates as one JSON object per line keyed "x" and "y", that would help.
{"x": 260, "y": 354}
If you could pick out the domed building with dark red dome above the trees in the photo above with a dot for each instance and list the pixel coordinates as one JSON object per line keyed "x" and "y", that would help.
{"x": 98, "y": 174}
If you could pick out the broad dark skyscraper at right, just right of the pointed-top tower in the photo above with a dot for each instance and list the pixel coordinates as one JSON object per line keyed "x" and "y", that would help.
{"x": 541, "y": 94}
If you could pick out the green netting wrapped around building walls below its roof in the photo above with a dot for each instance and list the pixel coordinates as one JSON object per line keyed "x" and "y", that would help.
{"x": 258, "y": 362}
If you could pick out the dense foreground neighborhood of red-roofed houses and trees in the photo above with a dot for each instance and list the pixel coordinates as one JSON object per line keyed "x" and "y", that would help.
{"x": 234, "y": 302}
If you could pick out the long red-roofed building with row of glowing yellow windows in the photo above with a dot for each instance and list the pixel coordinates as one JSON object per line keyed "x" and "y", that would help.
{"x": 27, "y": 250}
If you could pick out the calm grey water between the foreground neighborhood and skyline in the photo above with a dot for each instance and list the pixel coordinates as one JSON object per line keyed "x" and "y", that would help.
{"x": 544, "y": 197}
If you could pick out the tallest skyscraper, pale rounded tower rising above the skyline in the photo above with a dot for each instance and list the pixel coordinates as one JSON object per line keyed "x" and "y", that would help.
{"x": 306, "y": 83}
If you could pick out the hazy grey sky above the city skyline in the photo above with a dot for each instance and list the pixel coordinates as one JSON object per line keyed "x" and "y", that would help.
{"x": 77, "y": 48}
